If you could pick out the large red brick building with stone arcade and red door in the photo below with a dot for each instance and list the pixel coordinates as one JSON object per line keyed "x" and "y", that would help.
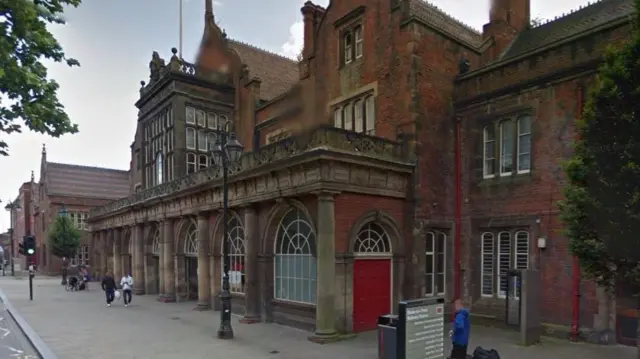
{"x": 404, "y": 155}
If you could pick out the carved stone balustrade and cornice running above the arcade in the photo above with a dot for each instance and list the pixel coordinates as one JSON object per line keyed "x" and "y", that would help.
{"x": 324, "y": 158}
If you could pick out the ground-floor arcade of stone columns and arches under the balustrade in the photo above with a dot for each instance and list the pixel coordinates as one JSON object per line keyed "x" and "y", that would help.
{"x": 288, "y": 264}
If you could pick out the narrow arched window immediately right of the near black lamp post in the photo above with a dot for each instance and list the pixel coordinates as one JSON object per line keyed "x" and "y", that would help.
{"x": 235, "y": 240}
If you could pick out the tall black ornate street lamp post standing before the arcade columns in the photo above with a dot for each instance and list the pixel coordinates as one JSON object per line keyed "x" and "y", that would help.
{"x": 225, "y": 150}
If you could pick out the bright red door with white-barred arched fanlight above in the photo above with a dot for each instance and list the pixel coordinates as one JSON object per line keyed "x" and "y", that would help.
{"x": 372, "y": 276}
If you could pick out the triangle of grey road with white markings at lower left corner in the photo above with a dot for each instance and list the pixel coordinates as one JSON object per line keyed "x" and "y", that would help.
{"x": 13, "y": 344}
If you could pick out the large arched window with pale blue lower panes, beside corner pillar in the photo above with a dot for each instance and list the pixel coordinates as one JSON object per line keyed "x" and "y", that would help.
{"x": 295, "y": 261}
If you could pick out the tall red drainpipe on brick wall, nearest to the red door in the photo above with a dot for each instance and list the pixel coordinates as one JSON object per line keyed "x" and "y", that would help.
{"x": 458, "y": 210}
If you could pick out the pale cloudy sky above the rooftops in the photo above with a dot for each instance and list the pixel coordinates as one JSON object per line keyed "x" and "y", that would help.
{"x": 113, "y": 40}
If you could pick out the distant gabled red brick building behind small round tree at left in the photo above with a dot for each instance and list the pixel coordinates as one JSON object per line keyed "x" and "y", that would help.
{"x": 77, "y": 189}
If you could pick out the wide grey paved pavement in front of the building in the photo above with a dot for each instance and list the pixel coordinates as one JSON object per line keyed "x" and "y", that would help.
{"x": 78, "y": 325}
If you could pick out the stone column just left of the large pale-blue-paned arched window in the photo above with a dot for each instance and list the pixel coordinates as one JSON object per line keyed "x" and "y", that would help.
{"x": 251, "y": 248}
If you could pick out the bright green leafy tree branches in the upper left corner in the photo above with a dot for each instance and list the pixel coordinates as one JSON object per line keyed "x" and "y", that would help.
{"x": 26, "y": 93}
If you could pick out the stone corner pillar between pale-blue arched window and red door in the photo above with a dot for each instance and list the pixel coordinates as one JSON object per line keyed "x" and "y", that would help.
{"x": 326, "y": 270}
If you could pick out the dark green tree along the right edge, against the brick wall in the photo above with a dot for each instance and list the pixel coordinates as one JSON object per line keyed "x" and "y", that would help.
{"x": 601, "y": 209}
